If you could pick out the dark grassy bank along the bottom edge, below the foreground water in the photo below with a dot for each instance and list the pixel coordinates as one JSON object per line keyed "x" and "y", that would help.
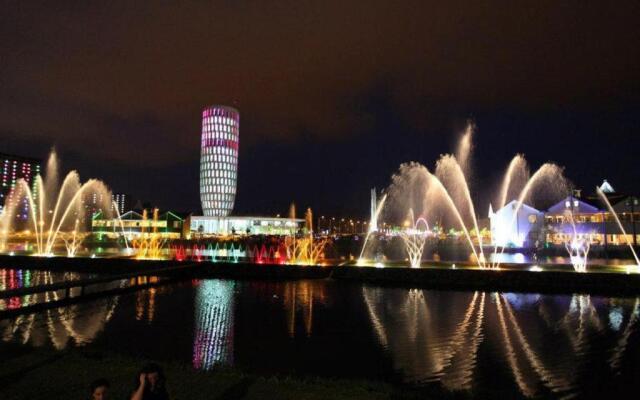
{"x": 27, "y": 373}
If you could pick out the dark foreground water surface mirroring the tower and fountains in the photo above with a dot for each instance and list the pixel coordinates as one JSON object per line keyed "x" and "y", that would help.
{"x": 490, "y": 344}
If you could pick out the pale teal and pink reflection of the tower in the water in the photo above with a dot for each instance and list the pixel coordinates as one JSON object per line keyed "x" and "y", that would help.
{"x": 213, "y": 336}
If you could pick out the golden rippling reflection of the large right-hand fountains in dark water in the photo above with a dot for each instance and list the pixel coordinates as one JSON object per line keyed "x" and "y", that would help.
{"x": 435, "y": 336}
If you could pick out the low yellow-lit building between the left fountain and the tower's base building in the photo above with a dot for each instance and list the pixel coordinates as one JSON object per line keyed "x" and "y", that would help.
{"x": 133, "y": 224}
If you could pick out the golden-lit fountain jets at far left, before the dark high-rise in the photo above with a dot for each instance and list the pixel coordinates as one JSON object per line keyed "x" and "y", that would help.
{"x": 54, "y": 212}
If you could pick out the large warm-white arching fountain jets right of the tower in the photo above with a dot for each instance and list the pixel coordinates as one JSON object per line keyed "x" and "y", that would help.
{"x": 445, "y": 194}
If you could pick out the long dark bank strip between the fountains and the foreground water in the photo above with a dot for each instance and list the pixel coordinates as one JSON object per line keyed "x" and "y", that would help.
{"x": 440, "y": 277}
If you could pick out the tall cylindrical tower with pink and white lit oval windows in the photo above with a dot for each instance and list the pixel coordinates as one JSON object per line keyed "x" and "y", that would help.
{"x": 219, "y": 160}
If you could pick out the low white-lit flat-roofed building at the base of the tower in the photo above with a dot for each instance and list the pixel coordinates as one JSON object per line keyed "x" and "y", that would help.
{"x": 204, "y": 226}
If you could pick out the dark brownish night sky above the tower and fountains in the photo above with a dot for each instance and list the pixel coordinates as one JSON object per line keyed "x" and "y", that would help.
{"x": 333, "y": 95}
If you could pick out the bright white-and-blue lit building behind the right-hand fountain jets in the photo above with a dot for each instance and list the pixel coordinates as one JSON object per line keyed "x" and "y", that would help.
{"x": 516, "y": 228}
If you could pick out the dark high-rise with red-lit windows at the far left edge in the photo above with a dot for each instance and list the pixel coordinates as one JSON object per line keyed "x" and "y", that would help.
{"x": 13, "y": 168}
